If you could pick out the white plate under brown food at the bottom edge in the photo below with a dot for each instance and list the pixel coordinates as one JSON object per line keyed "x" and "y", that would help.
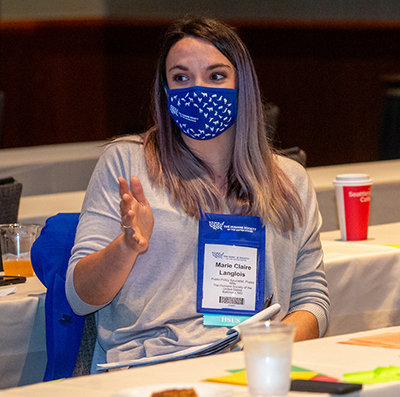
{"x": 202, "y": 390}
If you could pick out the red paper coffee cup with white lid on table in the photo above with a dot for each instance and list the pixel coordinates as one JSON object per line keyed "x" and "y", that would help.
{"x": 353, "y": 196}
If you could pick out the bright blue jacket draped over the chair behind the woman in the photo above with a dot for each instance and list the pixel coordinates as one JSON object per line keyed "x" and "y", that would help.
{"x": 50, "y": 254}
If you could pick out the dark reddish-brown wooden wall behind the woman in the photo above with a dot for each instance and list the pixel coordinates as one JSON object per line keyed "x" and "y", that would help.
{"x": 85, "y": 80}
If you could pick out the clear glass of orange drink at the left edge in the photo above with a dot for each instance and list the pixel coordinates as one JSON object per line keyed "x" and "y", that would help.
{"x": 16, "y": 241}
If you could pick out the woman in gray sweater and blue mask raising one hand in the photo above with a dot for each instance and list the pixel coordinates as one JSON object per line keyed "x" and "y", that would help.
{"x": 135, "y": 256}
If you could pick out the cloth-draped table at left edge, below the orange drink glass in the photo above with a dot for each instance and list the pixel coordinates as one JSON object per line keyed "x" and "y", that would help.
{"x": 22, "y": 335}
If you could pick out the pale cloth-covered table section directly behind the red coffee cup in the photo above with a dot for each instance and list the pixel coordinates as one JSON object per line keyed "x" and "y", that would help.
{"x": 385, "y": 191}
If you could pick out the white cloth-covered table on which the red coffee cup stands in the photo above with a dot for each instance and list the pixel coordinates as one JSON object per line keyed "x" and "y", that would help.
{"x": 364, "y": 280}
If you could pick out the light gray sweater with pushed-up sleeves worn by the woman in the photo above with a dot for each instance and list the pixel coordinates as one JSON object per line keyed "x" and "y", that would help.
{"x": 155, "y": 311}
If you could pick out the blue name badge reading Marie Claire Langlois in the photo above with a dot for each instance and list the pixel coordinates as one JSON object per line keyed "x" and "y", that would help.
{"x": 231, "y": 270}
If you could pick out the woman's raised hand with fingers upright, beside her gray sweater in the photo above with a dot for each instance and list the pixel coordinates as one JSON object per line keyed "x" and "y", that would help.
{"x": 136, "y": 214}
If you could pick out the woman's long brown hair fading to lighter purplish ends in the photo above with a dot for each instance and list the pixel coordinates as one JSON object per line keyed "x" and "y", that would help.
{"x": 256, "y": 184}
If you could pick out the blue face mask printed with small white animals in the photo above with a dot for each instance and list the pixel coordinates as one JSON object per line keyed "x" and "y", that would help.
{"x": 202, "y": 112}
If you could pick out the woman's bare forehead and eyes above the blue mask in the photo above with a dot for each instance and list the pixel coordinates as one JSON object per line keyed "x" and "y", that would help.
{"x": 195, "y": 62}
